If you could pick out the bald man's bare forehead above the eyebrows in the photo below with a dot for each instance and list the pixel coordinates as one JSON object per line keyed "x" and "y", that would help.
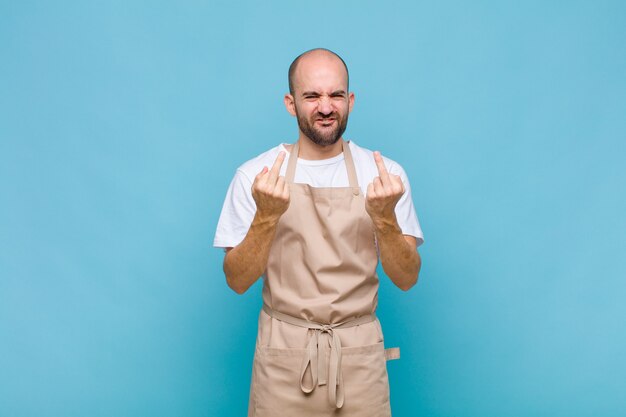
{"x": 320, "y": 72}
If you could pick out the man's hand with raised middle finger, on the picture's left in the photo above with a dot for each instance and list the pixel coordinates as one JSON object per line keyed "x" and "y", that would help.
{"x": 271, "y": 192}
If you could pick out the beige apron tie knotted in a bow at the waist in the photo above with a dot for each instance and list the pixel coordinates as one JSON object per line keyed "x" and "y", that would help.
{"x": 315, "y": 355}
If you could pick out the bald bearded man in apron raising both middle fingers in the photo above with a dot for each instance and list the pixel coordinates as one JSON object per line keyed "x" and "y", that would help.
{"x": 313, "y": 219}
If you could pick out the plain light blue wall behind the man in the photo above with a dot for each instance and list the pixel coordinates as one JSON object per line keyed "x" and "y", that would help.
{"x": 121, "y": 125}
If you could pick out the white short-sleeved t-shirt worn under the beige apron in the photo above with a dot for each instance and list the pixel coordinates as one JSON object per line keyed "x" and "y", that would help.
{"x": 239, "y": 206}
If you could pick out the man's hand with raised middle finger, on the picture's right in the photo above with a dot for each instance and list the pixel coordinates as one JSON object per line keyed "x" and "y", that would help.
{"x": 383, "y": 193}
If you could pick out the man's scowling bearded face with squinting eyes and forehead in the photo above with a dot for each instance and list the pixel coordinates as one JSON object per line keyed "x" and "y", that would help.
{"x": 321, "y": 100}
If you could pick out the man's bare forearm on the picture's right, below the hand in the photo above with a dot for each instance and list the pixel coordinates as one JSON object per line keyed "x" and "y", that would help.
{"x": 399, "y": 258}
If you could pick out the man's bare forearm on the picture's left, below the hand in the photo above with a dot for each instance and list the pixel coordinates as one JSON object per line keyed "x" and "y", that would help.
{"x": 246, "y": 262}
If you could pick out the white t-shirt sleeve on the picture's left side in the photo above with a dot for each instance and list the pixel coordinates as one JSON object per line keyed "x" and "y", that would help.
{"x": 237, "y": 212}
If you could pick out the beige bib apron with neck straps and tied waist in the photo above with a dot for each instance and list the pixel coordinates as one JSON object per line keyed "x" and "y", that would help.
{"x": 320, "y": 347}
